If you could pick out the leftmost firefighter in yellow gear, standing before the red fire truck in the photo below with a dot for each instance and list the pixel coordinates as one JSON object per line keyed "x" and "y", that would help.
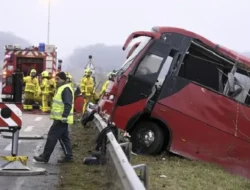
{"x": 31, "y": 86}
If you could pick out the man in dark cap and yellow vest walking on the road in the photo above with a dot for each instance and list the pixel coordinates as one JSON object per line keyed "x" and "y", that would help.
{"x": 62, "y": 114}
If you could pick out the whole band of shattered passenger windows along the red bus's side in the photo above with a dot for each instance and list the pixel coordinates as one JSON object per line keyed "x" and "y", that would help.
{"x": 204, "y": 67}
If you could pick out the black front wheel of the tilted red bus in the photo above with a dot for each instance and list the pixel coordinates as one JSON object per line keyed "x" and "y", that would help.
{"x": 147, "y": 138}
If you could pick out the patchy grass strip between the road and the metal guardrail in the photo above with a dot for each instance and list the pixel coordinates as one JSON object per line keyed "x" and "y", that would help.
{"x": 74, "y": 176}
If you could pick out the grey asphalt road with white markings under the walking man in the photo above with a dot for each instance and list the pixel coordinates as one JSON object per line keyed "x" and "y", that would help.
{"x": 32, "y": 125}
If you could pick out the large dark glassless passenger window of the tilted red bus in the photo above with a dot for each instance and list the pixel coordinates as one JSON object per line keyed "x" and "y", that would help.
{"x": 205, "y": 68}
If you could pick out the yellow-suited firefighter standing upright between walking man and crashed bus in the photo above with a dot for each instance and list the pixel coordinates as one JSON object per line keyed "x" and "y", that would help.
{"x": 87, "y": 88}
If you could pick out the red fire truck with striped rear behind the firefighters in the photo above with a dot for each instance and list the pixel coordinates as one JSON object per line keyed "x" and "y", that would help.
{"x": 25, "y": 59}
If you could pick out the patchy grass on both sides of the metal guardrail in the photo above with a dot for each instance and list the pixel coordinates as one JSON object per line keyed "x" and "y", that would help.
{"x": 165, "y": 172}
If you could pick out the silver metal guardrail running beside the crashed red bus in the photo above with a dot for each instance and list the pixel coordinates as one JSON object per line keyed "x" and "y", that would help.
{"x": 125, "y": 170}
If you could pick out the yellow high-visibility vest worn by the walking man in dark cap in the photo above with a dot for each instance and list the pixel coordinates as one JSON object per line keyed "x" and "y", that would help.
{"x": 58, "y": 105}
